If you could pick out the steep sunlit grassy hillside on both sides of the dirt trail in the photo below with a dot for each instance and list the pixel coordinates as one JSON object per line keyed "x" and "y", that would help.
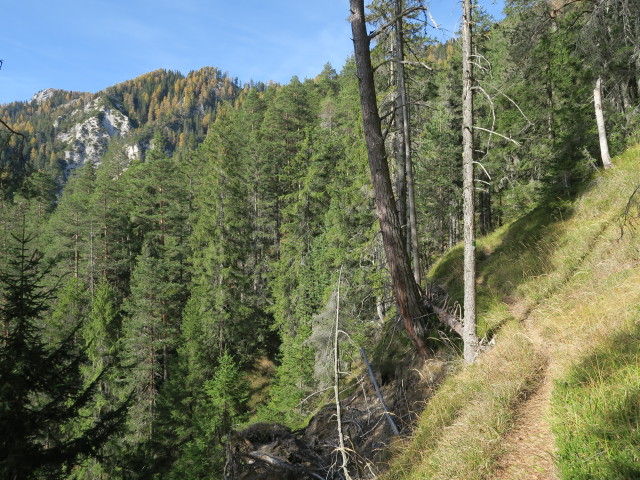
{"x": 565, "y": 270}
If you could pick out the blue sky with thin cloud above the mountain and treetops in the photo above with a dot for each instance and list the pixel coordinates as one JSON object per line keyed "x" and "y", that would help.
{"x": 92, "y": 44}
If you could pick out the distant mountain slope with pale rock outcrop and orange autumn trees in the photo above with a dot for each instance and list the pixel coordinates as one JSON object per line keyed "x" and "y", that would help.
{"x": 68, "y": 129}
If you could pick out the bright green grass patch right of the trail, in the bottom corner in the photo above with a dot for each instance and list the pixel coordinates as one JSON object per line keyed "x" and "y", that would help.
{"x": 597, "y": 413}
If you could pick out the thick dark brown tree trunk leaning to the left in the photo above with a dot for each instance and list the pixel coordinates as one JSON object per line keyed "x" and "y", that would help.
{"x": 407, "y": 293}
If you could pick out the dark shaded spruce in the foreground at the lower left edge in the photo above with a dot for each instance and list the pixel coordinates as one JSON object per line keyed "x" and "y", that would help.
{"x": 41, "y": 387}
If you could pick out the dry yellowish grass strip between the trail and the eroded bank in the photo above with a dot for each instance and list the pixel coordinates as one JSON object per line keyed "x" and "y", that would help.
{"x": 469, "y": 413}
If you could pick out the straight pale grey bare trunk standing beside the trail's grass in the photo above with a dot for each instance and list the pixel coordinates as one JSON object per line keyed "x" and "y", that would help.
{"x": 469, "y": 336}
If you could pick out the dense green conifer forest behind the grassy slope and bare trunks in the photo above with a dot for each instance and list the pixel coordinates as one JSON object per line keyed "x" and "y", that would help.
{"x": 144, "y": 299}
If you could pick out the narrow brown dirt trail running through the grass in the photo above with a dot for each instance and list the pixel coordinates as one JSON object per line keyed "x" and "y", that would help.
{"x": 530, "y": 446}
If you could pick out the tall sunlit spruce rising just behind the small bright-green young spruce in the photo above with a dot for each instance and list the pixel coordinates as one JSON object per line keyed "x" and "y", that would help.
{"x": 224, "y": 251}
